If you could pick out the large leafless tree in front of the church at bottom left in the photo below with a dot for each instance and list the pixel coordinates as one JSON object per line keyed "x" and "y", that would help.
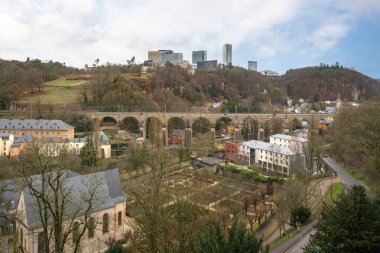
{"x": 62, "y": 213}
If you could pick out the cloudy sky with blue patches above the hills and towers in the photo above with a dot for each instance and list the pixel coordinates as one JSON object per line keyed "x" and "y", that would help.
{"x": 279, "y": 35}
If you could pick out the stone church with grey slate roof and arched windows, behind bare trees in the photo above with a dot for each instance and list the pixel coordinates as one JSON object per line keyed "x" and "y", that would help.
{"x": 107, "y": 221}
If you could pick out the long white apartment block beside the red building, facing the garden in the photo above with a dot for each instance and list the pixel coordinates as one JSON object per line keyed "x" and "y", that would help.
{"x": 271, "y": 156}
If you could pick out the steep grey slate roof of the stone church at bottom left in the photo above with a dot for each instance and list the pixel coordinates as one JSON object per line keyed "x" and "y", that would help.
{"x": 108, "y": 193}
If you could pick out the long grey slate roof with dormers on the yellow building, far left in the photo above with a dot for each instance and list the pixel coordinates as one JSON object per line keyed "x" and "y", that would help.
{"x": 33, "y": 124}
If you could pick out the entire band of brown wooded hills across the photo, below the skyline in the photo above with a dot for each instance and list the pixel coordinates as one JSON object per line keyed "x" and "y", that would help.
{"x": 122, "y": 87}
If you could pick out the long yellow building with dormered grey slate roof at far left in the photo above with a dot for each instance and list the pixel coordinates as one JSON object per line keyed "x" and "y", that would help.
{"x": 37, "y": 128}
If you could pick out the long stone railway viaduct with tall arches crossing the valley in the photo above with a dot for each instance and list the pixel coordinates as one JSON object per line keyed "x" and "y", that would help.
{"x": 141, "y": 119}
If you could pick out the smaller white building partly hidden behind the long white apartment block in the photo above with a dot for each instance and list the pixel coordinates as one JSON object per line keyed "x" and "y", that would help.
{"x": 298, "y": 144}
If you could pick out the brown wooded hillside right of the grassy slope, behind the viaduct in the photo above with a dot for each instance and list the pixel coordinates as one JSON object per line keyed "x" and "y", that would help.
{"x": 176, "y": 89}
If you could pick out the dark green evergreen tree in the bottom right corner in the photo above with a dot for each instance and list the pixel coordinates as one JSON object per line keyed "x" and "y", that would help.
{"x": 351, "y": 225}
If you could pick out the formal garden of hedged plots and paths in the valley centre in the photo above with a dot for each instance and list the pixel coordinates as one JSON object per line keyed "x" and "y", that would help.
{"x": 224, "y": 197}
